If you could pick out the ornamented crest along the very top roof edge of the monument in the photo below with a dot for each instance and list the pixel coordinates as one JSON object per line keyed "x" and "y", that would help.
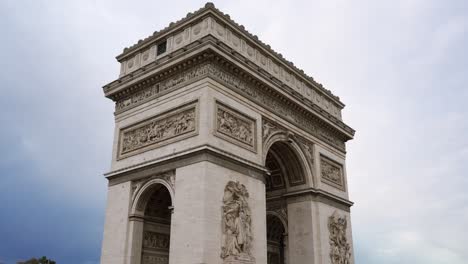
{"x": 211, "y": 7}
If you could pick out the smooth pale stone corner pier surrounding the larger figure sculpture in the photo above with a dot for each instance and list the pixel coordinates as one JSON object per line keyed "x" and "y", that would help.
{"x": 197, "y": 223}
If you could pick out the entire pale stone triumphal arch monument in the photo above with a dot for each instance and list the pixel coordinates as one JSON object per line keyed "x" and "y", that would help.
{"x": 224, "y": 152}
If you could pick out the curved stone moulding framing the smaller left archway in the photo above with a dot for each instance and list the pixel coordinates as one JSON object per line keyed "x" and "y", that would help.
{"x": 145, "y": 191}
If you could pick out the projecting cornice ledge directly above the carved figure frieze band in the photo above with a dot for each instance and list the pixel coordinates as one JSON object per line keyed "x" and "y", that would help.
{"x": 208, "y": 51}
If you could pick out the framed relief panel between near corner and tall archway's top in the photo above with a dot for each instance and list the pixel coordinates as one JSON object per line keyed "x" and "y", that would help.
{"x": 235, "y": 127}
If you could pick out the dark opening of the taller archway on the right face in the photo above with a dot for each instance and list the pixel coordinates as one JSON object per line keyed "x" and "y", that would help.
{"x": 284, "y": 171}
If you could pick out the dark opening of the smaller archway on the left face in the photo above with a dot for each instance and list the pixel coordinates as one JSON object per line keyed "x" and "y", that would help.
{"x": 157, "y": 226}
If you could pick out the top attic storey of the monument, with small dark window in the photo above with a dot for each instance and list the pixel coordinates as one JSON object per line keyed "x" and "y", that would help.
{"x": 209, "y": 21}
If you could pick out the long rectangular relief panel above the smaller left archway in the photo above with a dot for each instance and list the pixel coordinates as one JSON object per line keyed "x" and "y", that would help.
{"x": 162, "y": 129}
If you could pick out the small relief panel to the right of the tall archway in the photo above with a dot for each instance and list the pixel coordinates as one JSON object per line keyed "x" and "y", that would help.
{"x": 331, "y": 173}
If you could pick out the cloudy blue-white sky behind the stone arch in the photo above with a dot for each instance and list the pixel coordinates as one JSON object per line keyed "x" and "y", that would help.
{"x": 400, "y": 66}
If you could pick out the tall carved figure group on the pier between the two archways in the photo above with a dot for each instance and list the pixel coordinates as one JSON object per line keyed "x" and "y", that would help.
{"x": 237, "y": 234}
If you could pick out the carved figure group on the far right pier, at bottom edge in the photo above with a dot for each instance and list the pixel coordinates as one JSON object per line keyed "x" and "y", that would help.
{"x": 340, "y": 250}
